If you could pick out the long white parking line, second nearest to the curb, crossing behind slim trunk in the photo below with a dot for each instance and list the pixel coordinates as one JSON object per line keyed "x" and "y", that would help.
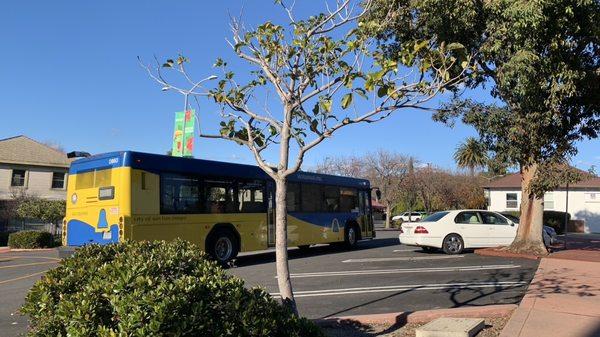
{"x": 404, "y": 271}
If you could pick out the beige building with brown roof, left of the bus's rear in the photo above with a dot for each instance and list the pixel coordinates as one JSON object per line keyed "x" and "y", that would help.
{"x": 30, "y": 168}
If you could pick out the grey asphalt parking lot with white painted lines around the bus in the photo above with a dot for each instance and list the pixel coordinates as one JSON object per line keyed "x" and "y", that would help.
{"x": 380, "y": 276}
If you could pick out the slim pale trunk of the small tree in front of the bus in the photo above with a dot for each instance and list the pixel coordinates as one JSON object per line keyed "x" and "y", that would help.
{"x": 281, "y": 257}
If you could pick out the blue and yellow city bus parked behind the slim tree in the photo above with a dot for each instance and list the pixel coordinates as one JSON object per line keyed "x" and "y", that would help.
{"x": 225, "y": 208}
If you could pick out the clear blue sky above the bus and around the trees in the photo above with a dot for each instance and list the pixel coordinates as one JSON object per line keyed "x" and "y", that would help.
{"x": 70, "y": 76}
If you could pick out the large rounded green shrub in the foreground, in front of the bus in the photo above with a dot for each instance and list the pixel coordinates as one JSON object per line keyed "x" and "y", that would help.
{"x": 153, "y": 289}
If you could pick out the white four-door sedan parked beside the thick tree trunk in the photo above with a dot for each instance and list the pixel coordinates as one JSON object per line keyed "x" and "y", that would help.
{"x": 453, "y": 231}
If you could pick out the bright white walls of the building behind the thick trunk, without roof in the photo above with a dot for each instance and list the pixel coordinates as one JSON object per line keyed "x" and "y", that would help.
{"x": 583, "y": 205}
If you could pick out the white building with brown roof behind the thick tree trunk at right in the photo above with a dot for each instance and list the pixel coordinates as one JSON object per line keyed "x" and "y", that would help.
{"x": 504, "y": 194}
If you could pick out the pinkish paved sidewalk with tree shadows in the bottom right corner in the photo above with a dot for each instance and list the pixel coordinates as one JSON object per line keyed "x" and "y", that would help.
{"x": 563, "y": 299}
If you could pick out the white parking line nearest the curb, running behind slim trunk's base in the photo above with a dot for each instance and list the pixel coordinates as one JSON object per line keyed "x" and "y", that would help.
{"x": 397, "y": 288}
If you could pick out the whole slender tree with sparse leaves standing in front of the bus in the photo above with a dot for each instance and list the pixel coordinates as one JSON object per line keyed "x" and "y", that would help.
{"x": 302, "y": 69}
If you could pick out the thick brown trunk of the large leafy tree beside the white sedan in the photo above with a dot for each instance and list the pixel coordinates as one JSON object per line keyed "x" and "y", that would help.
{"x": 529, "y": 237}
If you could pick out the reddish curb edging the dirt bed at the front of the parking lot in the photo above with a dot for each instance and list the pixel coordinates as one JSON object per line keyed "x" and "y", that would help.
{"x": 487, "y": 311}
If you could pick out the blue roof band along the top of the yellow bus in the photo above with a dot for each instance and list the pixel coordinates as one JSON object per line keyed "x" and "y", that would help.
{"x": 157, "y": 163}
